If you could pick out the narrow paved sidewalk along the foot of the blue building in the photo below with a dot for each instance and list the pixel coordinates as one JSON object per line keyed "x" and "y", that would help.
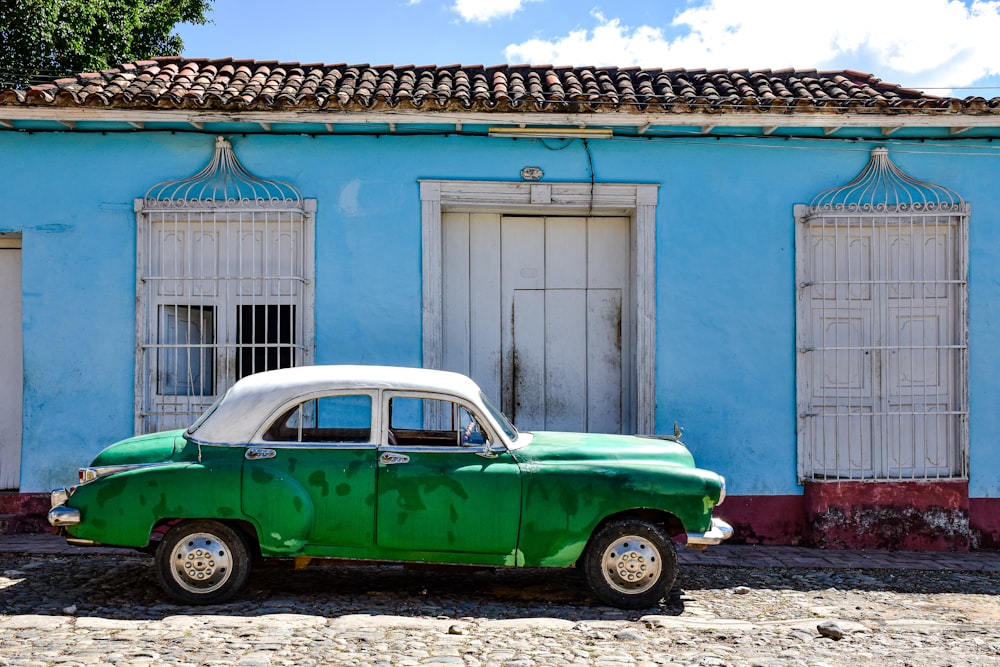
{"x": 730, "y": 555}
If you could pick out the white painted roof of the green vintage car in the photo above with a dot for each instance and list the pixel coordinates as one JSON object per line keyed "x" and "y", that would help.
{"x": 238, "y": 417}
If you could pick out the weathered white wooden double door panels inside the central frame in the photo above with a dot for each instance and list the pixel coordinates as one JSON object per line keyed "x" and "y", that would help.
{"x": 536, "y": 310}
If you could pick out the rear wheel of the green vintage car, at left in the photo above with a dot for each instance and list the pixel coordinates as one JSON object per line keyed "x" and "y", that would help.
{"x": 202, "y": 562}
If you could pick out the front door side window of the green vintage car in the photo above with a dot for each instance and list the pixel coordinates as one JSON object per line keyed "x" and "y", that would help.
{"x": 415, "y": 422}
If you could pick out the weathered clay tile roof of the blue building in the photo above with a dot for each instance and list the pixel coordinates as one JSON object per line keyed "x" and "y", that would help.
{"x": 228, "y": 84}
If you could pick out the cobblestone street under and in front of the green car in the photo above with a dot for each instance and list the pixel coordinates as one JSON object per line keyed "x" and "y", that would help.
{"x": 736, "y": 608}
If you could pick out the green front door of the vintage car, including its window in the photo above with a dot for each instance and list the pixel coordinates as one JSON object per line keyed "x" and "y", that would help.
{"x": 441, "y": 487}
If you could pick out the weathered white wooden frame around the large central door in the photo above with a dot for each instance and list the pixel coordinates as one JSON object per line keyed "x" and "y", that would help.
{"x": 637, "y": 201}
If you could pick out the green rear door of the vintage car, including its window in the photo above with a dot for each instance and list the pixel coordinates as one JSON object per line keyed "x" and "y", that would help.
{"x": 311, "y": 481}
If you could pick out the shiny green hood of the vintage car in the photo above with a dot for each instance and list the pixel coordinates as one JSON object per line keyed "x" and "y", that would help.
{"x": 564, "y": 448}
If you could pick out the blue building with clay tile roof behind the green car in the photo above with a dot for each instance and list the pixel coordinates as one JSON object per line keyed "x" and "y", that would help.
{"x": 800, "y": 268}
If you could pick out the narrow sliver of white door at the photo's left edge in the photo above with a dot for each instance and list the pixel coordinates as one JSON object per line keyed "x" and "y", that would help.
{"x": 11, "y": 364}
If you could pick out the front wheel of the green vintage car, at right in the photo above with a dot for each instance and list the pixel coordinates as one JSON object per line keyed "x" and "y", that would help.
{"x": 630, "y": 563}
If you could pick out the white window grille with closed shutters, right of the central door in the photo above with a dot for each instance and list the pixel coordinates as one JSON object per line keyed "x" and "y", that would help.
{"x": 881, "y": 273}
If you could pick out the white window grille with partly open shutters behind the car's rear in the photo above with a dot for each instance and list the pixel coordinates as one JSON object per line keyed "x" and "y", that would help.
{"x": 224, "y": 287}
